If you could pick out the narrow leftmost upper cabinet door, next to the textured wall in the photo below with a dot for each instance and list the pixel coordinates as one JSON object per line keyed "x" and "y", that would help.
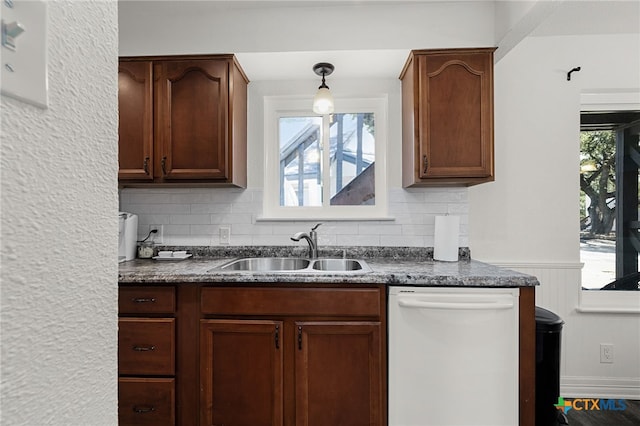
{"x": 135, "y": 130}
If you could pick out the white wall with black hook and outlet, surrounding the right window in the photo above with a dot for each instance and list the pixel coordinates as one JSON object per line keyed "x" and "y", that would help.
{"x": 528, "y": 218}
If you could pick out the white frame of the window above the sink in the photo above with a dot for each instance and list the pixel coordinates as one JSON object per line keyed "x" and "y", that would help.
{"x": 276, "y": 107}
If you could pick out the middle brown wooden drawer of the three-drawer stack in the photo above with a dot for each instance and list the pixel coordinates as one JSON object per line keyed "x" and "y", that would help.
{"x": 146, "y": 346}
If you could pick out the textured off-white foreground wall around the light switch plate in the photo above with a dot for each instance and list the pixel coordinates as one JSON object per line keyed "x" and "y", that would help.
{"x": 59, "y": 238}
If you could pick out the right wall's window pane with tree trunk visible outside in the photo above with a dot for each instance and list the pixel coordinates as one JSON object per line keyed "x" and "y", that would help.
{"x": 609, "y": 193}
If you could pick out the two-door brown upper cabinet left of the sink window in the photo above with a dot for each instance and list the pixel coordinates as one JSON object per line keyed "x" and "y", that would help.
{"x": 183, "y": 121}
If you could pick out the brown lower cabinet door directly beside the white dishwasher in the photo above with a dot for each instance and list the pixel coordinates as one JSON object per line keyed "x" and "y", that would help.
{"x": 338, "y": 374}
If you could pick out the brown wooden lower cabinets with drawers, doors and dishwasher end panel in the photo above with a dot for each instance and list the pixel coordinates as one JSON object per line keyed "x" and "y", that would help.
{"x": 268, "y": 354}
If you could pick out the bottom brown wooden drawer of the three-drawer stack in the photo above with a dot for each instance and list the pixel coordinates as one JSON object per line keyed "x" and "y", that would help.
{"x": 146, "y": 402}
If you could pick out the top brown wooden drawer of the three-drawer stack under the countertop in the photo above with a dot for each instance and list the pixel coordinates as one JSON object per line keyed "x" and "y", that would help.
{"x": 147, "y": 300}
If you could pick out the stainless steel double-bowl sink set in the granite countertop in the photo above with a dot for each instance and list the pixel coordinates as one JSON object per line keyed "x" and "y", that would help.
{"x": 296, "y": 264}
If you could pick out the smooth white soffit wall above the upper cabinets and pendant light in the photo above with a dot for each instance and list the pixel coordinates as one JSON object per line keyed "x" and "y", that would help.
{"x": 161, "y": 27}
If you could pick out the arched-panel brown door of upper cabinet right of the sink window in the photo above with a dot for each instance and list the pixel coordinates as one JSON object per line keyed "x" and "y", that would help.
{"x": 456, "y": 115}
